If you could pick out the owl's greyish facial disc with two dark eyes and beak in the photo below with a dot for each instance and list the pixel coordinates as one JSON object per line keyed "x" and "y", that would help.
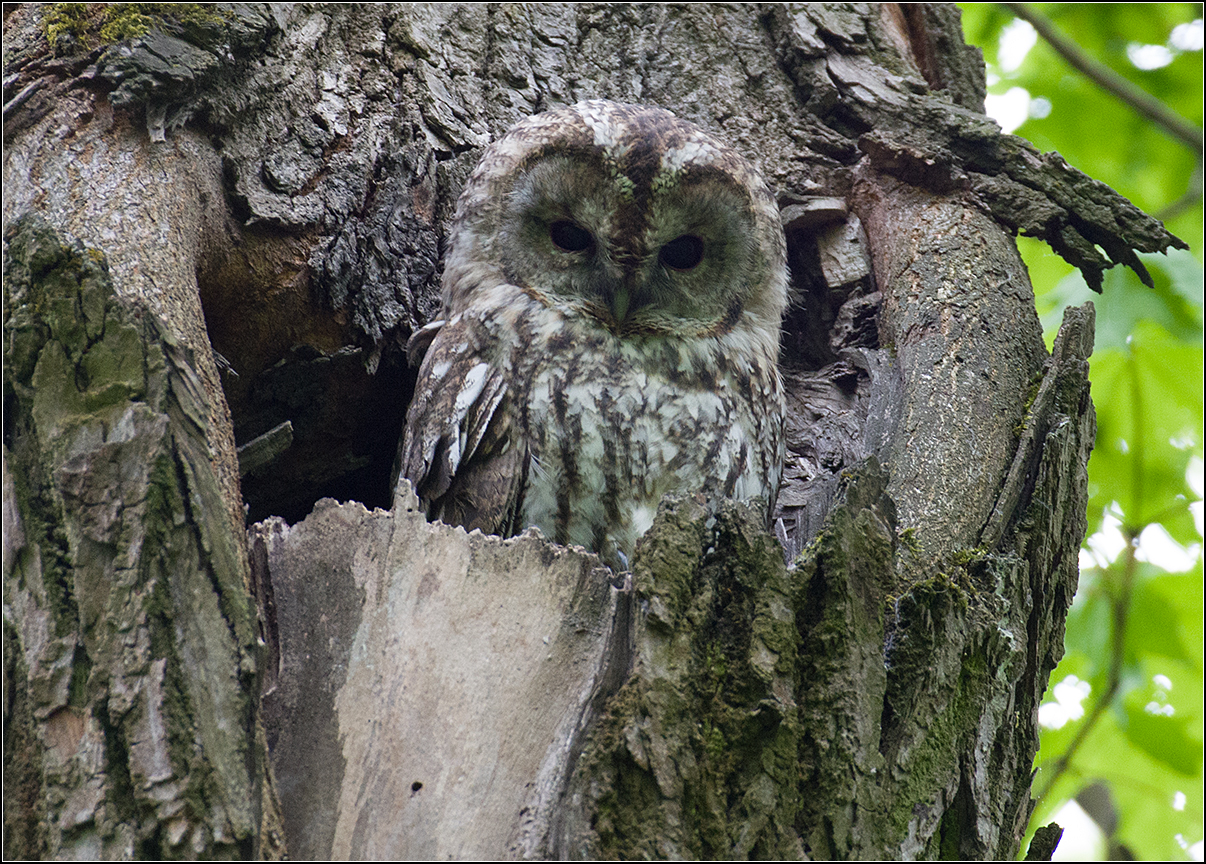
{"x": 671, "y": 256}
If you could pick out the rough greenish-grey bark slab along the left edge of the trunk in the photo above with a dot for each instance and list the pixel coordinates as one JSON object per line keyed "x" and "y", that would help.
{"x": 133, "y": 632}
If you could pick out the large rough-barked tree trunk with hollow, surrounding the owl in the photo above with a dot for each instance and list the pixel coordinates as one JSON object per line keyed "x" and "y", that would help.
{"x": 221, "y": 232}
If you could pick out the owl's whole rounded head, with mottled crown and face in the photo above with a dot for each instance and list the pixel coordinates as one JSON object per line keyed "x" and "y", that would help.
{"x": 628, "y": 217}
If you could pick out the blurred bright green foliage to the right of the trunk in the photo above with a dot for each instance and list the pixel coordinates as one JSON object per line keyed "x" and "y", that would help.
{"x": 1135, "y": 632}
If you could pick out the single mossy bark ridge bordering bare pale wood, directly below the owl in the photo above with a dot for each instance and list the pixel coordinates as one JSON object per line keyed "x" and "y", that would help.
{"x": 696, "y": 756}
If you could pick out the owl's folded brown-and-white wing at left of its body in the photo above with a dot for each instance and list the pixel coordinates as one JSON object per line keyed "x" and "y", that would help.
{"x": 463, "y": 449}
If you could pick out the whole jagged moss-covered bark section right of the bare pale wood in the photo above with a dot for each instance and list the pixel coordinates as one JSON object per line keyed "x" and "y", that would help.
{"x": 835, "y": 710}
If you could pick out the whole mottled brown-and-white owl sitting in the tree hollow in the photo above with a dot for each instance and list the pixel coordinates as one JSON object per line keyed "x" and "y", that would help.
{"x": 610, "y": 334}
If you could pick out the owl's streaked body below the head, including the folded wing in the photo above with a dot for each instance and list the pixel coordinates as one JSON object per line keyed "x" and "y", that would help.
{"x": 528, "y": 416}
